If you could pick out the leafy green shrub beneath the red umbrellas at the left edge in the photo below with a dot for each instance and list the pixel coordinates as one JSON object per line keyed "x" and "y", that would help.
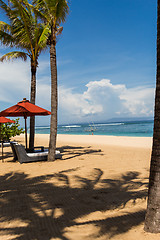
{"x": 9, "y": 130}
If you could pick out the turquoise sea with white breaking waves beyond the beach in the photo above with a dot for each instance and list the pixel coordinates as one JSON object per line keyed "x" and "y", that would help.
{"x": 134, "y": 129}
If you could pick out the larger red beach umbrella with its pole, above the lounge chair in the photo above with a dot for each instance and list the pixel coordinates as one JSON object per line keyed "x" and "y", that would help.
{"x": 24, "y": 109}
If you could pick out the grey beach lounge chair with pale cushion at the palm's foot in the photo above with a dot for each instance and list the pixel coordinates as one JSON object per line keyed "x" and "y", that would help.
{"x": 24, "y": 157}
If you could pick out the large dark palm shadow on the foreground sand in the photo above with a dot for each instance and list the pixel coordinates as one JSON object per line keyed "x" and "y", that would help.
{"x": 35, "y": 201}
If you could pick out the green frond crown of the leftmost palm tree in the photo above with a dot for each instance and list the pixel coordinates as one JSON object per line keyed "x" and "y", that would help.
{"x": 24, "y": 31}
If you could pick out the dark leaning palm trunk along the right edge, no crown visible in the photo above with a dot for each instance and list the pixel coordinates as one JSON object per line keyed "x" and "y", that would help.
{"x": 152, "y": 220}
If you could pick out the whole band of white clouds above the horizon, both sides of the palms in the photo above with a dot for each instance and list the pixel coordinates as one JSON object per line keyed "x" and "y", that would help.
{"x": 100, "y": 101}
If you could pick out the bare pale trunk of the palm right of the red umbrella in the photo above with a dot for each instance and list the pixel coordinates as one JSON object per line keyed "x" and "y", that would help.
{"x": 54, "y": 101}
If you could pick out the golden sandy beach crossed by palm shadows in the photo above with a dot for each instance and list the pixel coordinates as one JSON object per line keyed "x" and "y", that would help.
{"x": 98, "y": 190}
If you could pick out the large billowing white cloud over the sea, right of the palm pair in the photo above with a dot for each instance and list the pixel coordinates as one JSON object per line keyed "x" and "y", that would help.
{"x": 103, "y": 100}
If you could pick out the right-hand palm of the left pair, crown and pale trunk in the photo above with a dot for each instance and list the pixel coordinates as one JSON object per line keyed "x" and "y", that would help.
{"x": 53, "y": 13}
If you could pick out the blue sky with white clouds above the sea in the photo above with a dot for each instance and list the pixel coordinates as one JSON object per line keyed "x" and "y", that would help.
{"x": 106, "y": 64}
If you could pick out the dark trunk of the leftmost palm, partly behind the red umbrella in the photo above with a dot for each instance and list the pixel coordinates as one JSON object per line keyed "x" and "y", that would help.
{"x": 32, "y": 100}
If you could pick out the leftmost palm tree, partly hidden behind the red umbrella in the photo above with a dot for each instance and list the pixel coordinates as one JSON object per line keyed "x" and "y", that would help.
{"x": 26, "y": 33}
